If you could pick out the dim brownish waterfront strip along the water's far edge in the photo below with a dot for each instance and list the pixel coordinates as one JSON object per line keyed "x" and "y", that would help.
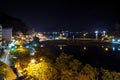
{"x": 74, "y": 42}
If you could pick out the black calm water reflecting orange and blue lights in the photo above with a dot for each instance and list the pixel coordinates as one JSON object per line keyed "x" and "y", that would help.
{"x": 106, "y": 56}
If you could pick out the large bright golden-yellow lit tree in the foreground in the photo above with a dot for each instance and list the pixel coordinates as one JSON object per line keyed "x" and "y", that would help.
{"x": 40, "y": 71}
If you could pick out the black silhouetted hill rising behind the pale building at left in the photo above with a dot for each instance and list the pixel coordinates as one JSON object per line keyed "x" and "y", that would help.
{"x": 11, "y": 22}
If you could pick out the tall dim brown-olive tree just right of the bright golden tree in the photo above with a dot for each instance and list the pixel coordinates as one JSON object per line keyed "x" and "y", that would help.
{"x": 62, "y": 65}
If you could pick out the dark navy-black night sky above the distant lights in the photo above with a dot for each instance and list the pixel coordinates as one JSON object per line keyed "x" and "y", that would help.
{"x": 63, "y": 15}
